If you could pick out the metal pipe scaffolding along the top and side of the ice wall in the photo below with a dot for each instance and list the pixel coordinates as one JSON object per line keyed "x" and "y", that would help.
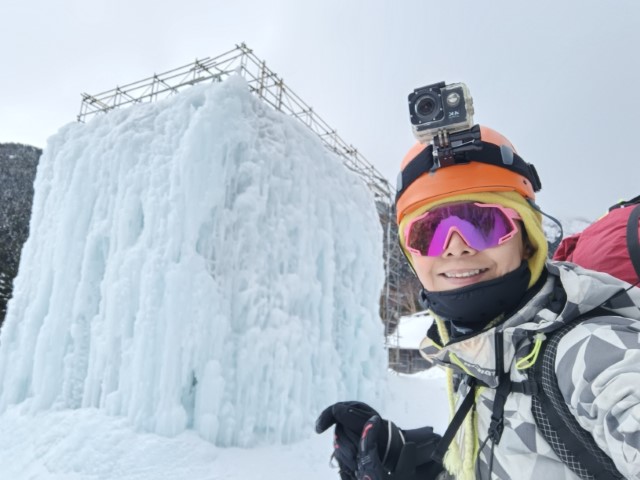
{"x": 271, "y": 89}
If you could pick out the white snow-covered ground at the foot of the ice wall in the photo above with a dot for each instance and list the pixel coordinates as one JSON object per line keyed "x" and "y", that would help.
{"x": 87, "y": 444}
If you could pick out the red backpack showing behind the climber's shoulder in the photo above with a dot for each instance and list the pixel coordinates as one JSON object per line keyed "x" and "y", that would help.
{"x": 609, "y": 245}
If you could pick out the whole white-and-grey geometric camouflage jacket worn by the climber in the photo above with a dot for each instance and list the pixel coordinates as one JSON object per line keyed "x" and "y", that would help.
{"x": 597, "y": 366}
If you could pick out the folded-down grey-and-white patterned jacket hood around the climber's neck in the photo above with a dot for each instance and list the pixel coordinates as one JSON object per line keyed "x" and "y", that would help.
{"x": 568, "y": 292}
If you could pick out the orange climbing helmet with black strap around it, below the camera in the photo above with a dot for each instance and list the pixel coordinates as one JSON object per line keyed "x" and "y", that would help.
{"x": 482, "y": 161}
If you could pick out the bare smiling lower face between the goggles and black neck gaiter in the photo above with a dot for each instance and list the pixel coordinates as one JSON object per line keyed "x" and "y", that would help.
{"x": 460, "y": 265}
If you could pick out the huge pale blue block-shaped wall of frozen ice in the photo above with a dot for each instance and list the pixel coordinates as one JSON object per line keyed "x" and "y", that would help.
{"x": 202, "y": 262}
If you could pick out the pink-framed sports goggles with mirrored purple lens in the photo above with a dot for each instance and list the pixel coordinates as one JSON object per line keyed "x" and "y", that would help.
{"x": 481, "y": 226}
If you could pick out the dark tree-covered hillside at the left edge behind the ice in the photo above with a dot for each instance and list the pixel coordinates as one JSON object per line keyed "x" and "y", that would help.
{"x": 18, "y": 165}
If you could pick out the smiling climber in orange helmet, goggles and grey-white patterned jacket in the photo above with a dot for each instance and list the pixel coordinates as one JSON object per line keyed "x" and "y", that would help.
{"x": 473, "y": 234}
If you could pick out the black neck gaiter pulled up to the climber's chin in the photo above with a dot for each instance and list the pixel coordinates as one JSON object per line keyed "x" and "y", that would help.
{"x": 471, "y": 308}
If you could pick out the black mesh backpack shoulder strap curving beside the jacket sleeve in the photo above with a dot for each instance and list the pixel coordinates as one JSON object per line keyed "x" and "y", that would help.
{"x": 573, "y": 444}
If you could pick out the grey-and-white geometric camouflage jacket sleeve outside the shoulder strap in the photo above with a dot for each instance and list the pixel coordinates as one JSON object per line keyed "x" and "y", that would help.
{"x": 598, "y": 371}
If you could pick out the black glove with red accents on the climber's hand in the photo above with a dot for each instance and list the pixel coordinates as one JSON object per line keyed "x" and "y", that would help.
{"x": 367, "y": 447}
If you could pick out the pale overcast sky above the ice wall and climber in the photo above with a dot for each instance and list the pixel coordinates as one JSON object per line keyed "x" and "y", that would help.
{"x": 561, "y": 79}
